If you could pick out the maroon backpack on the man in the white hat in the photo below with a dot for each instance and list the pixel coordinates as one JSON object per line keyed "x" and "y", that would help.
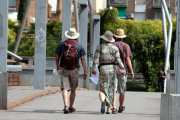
{"x": 69, "y": 59}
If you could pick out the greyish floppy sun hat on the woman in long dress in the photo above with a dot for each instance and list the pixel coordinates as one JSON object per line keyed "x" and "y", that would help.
{"x": 108, "y": 36}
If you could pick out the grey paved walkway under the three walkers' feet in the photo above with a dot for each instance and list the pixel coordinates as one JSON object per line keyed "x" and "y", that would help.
{"x": 139, "y": 106}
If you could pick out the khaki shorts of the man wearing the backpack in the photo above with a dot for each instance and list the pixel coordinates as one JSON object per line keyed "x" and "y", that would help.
{"x": 69, "y": 79}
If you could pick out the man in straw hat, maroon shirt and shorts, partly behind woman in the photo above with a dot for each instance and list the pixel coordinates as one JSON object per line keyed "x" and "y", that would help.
{"x": 125, "y": 53}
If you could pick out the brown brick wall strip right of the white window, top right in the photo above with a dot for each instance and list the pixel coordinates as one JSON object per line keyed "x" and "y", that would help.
{"x": 149, "y": 9}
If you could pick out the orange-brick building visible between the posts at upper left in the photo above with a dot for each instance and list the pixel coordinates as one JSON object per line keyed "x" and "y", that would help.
{"x": 54, "y": 11}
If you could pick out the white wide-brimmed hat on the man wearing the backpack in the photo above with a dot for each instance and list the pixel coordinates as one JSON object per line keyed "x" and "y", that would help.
{"x": 72, "y": 34}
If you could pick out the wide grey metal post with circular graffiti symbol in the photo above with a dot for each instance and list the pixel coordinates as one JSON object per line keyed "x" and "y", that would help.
{"x": 40, "y": 44}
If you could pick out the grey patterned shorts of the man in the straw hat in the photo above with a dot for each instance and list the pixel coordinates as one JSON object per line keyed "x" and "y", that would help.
{"x": 122, "y": 83}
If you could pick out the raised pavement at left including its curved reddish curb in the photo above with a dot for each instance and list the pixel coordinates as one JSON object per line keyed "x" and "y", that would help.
{"x": 18, "y": 95}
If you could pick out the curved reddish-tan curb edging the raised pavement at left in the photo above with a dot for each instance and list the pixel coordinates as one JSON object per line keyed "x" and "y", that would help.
{"x": 36, "y": 95}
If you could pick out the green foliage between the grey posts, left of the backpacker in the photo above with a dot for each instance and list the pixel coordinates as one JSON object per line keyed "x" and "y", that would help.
{"x": 26, "y": 47}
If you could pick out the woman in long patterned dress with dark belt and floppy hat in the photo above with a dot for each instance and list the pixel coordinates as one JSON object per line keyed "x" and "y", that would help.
{"x": 106, "y": 56}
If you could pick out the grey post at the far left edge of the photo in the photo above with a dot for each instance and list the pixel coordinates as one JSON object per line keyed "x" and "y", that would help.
{"x": 3, "y": 53}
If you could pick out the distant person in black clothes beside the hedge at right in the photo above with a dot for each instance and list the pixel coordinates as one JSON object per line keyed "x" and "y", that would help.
{"x": 160, "y": 80}
